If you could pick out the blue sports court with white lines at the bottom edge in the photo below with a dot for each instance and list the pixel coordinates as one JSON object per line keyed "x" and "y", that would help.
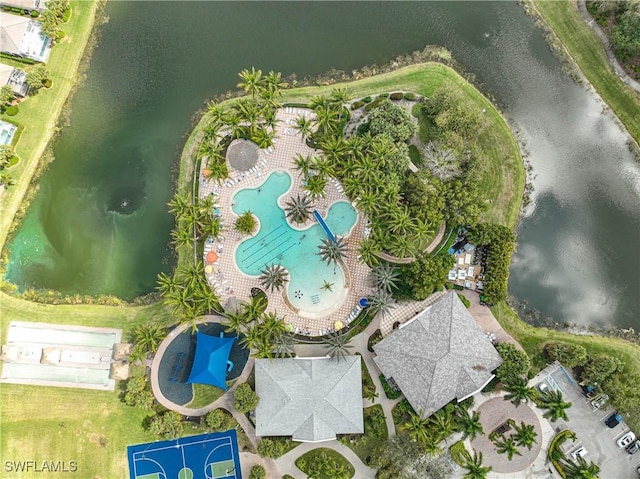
{"x": 207, "y": 456}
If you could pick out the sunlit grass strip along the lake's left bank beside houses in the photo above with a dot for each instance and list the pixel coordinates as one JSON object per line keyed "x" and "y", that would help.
{"x": 39, "y": 113}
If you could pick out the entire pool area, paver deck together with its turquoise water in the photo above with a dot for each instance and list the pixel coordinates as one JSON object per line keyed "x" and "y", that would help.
{"x": 230, "y": 270}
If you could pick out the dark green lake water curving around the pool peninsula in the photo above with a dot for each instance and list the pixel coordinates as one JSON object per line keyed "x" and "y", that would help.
{"x": 99, "y": 223}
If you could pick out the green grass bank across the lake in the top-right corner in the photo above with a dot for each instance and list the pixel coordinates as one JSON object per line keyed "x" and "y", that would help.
{"x": 588, "y": 52}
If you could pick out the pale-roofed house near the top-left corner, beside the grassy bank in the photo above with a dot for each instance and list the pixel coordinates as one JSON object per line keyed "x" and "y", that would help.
{"x": 23, "y": 37}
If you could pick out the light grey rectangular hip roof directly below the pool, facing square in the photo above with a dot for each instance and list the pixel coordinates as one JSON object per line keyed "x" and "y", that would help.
{"x": 310, "y": 399}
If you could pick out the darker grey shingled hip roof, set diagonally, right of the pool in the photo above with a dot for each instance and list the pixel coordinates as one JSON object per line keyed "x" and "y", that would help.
{"x": 440, "y": 355}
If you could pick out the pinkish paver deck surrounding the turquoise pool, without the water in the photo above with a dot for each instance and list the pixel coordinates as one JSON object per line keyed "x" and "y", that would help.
{"x": 229, "y": 281}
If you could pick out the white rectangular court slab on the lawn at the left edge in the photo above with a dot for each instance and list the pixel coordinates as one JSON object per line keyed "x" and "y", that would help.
{"x": 59, "y": 355}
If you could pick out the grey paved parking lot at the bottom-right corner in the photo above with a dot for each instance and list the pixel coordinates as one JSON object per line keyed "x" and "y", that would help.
{"x": 589, "y": 426}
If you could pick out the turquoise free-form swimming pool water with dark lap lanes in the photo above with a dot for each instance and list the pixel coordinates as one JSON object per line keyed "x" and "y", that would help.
{"x": 297, "y": 250}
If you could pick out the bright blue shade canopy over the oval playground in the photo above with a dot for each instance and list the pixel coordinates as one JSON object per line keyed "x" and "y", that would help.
{"x": 210, "y": 363}
